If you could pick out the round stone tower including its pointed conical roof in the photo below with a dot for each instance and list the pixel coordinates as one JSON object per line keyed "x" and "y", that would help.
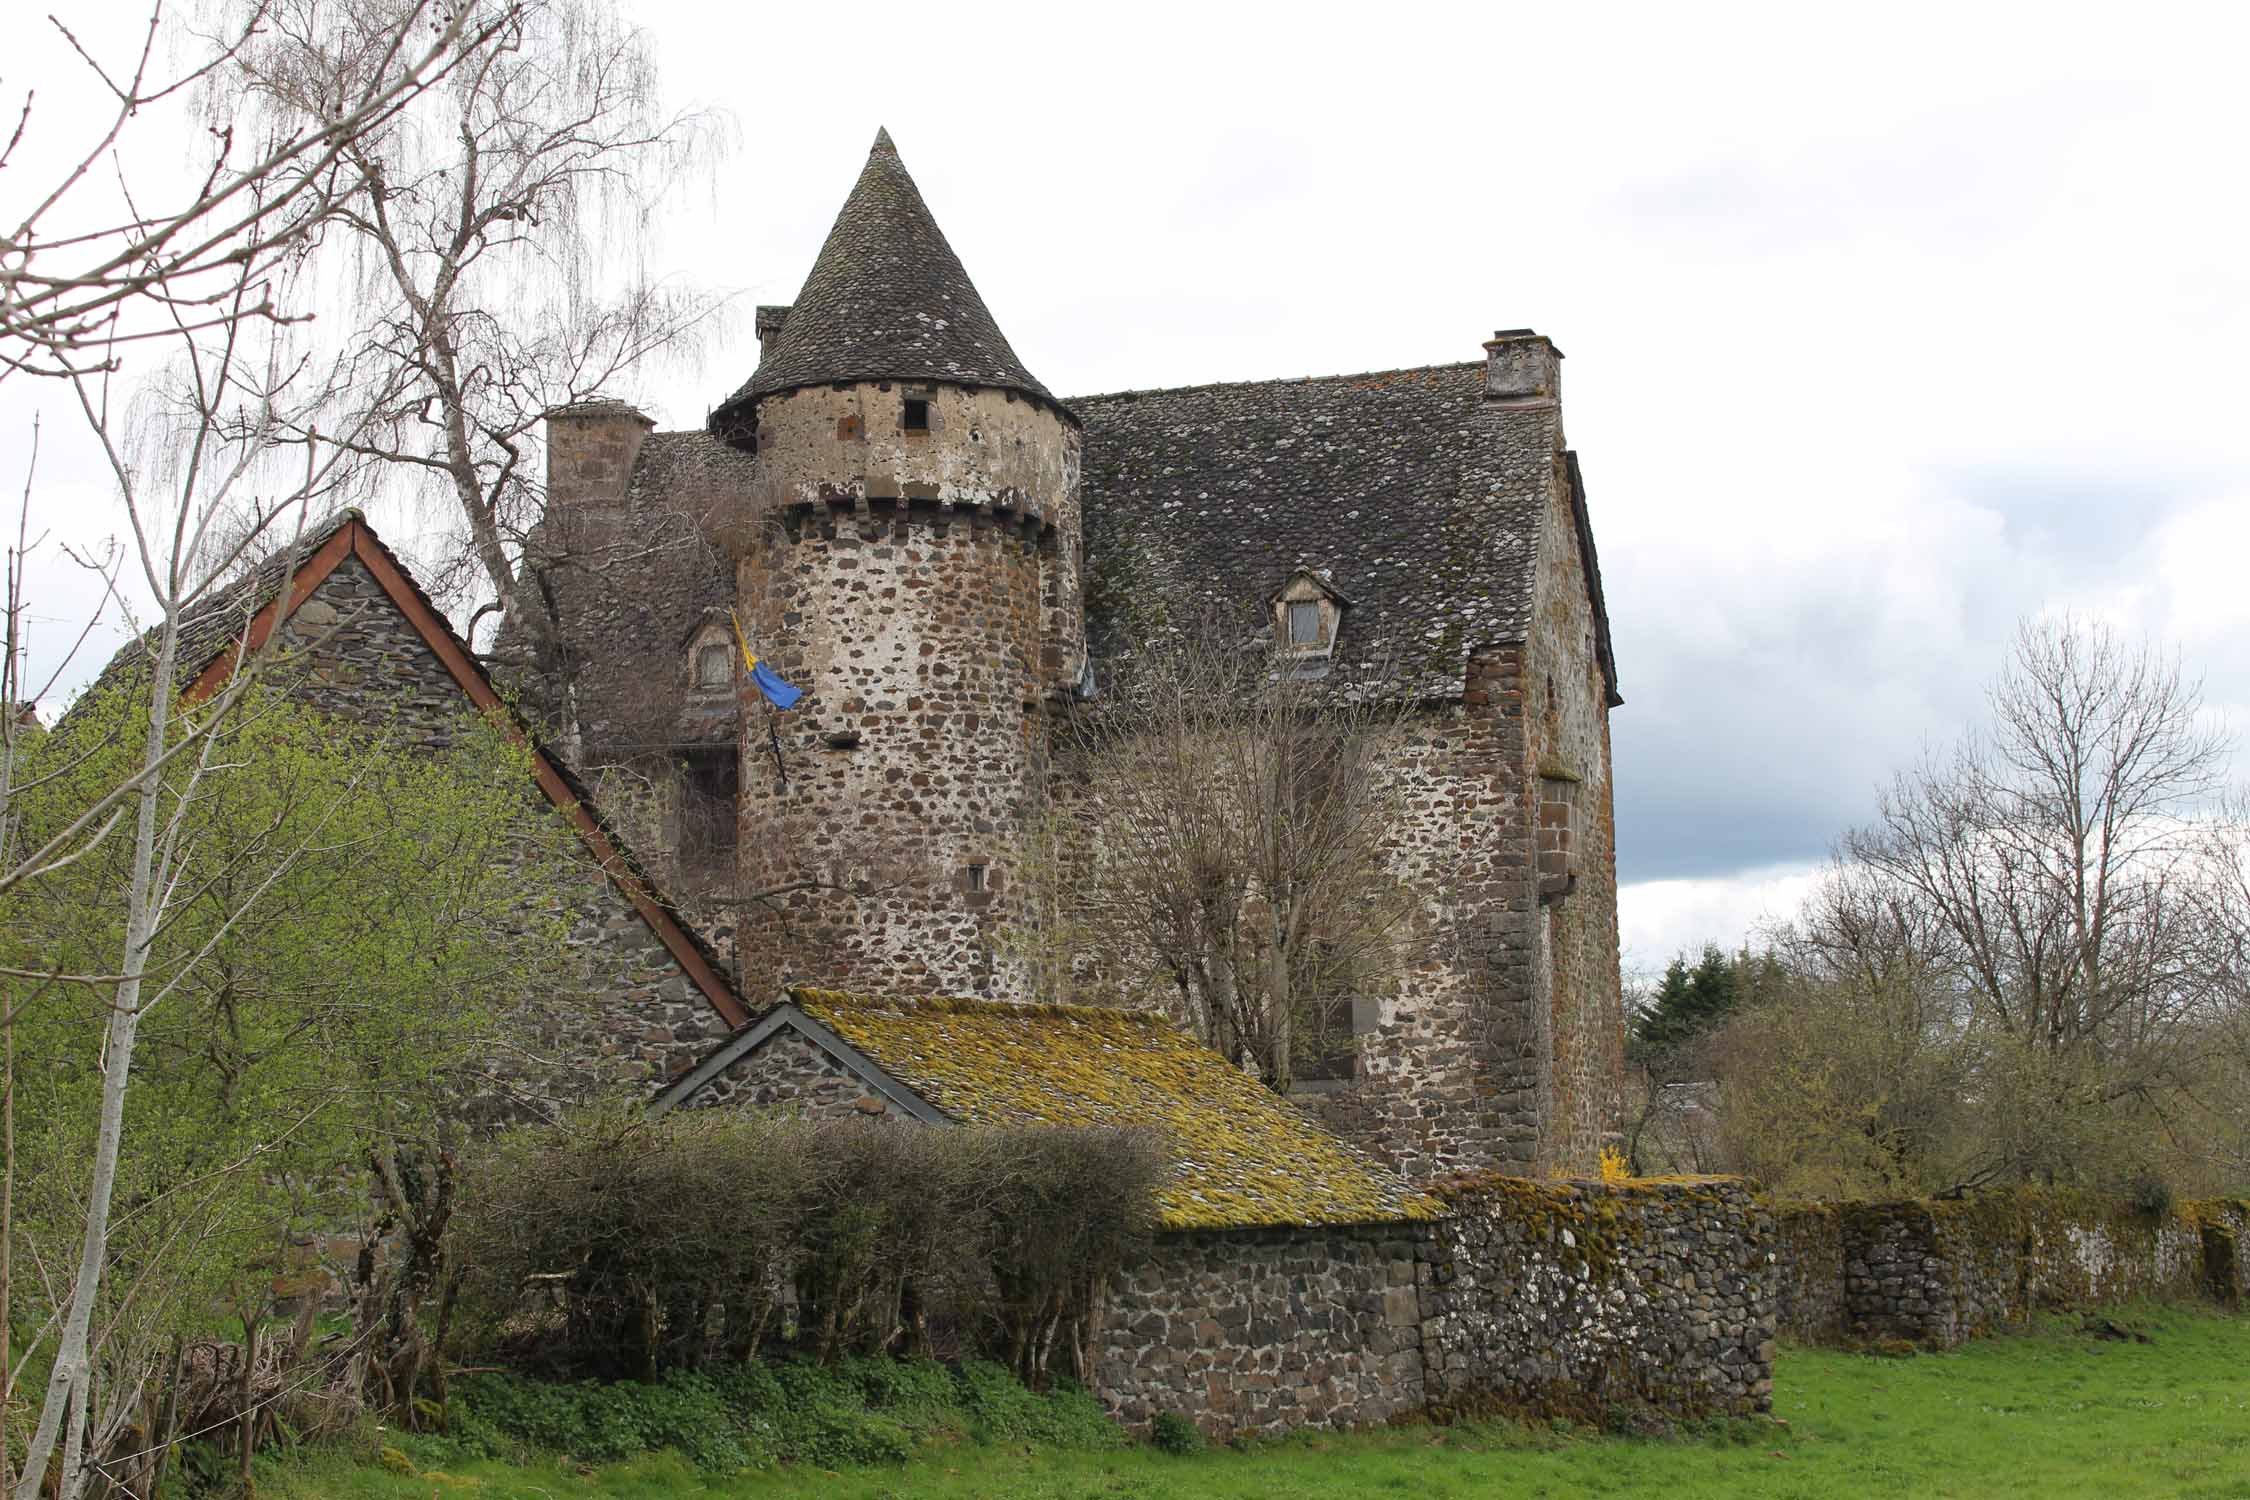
{"x": 910, "y": 559}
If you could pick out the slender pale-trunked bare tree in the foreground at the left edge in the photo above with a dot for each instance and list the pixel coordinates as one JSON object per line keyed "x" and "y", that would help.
{"x": 213, "y": 284}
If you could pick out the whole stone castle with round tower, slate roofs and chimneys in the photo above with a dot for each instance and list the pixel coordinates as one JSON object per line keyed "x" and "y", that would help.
{"x": 946, "y": 557}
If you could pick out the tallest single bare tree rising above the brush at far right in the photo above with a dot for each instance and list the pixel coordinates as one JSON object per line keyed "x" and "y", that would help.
{"x": 2060, "y": 851}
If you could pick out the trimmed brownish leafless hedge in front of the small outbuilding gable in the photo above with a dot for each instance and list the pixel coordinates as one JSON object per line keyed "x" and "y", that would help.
{"x": 622, "y": 1247}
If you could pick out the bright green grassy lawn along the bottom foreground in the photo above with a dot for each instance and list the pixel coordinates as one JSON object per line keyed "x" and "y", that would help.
{"x": 2049, "y": 1413}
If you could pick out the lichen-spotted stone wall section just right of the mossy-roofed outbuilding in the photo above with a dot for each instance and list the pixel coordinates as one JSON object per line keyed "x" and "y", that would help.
{"x": 1578, "y": 1299}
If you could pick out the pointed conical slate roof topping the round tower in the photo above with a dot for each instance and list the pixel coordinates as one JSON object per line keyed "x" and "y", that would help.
{"x": 888, "y": 300}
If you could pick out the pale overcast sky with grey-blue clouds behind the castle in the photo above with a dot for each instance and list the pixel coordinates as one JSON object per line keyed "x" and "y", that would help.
{"x": 1884, "y": 327}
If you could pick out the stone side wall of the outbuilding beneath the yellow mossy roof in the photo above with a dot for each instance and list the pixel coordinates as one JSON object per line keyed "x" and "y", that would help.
{"x": 1266, "y": 1330}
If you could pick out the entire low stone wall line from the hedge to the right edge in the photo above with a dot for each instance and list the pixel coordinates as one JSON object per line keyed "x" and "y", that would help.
{"x": 1590, "y": 1299}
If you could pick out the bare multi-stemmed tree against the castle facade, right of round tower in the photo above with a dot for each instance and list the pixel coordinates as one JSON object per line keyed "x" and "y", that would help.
{"x": 1227, "y": 817}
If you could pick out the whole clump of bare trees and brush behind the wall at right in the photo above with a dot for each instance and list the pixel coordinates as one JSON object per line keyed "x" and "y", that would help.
{"x": 2019, "y": 970}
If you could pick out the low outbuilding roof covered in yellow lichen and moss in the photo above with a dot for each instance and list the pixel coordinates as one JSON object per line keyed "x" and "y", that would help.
{"x": 1241, "y": 1155}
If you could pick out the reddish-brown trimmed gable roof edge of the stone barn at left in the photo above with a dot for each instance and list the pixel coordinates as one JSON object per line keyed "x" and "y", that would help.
{"x": 244, "y": 615}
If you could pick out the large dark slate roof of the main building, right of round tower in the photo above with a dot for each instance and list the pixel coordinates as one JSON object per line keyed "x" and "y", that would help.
{"x": 1396, "y": 487}
